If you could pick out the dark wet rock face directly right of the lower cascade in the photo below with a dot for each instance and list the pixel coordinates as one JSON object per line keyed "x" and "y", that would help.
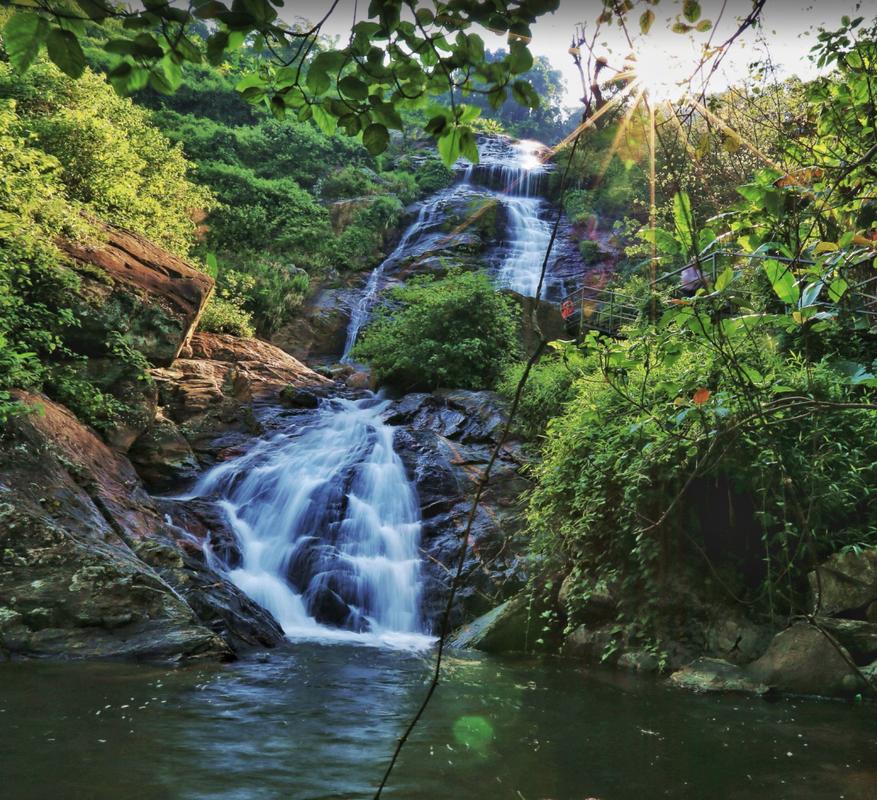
{"x": 445, "y": 440}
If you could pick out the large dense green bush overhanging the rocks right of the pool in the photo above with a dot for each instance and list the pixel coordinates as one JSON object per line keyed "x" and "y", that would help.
{"x": 660, "y": 420}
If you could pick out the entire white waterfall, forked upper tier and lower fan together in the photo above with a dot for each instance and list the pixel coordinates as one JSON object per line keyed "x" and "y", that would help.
{"x": 325, "y": 518}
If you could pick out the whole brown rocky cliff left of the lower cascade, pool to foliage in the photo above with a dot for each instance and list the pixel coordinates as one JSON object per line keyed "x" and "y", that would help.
{"x": 91, "y": 565}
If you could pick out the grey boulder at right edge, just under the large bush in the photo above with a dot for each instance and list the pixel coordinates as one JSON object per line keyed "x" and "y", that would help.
{"x": 846, "y": 582}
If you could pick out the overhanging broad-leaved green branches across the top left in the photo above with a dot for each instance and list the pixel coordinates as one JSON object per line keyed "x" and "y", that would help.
{"x": 387, "y": 61}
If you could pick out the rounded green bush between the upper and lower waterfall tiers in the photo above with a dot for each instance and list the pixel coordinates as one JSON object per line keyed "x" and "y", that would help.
{"x": 455, "y": 332}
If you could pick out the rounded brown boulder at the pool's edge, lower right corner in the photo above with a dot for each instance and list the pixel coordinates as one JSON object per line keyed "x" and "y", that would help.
{"x": 801, "y": 660}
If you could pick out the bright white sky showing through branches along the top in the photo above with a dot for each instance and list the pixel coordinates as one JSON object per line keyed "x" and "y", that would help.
{"x": 788, "y": 28}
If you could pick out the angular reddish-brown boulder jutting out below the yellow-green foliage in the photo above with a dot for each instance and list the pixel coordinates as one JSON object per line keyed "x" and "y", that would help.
{"x": 129, "y": 285}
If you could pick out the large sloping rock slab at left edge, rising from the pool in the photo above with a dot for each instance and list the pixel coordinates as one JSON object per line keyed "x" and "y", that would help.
{"x": 90, "y": 567}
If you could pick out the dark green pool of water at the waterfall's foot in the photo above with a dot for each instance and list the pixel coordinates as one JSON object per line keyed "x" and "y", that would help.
{"x": 319, "y": 721}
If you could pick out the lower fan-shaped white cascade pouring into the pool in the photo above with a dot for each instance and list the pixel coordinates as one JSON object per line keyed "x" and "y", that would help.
{"x": 328, "y": 527}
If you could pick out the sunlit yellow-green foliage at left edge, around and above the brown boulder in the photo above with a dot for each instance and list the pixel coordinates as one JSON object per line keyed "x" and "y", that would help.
{"x": 71, "y": 151}
